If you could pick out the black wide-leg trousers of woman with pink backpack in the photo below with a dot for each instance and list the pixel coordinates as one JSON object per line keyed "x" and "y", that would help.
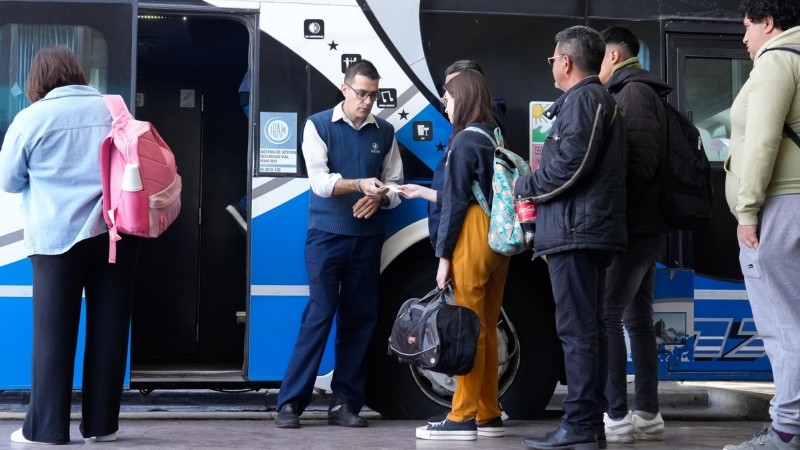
{"x": 58, "y": 284}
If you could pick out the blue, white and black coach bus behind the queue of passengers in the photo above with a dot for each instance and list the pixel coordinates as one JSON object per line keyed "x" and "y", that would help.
{"x": 218, "y": 306}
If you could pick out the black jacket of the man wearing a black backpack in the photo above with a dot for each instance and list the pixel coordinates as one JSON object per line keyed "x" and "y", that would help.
{"x": 638, "y": 94}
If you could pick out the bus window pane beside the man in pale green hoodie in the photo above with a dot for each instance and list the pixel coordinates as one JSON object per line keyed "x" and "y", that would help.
{"x": 711, "y": 85}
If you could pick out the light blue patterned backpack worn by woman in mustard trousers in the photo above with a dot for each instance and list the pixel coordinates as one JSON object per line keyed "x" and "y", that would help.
{"x": 505, "y": 233}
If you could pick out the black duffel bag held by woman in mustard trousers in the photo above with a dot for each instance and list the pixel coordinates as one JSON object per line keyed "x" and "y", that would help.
{"x": 436, "y": 334}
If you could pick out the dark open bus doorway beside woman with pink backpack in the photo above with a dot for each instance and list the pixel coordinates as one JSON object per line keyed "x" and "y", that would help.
{"x": 191, "y": 282}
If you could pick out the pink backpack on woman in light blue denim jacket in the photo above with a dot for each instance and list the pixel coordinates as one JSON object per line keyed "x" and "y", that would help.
{"x": 141, "y": 185}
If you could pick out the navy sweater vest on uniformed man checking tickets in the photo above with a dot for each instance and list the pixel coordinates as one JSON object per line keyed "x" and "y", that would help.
{"x": 353, "y": 154}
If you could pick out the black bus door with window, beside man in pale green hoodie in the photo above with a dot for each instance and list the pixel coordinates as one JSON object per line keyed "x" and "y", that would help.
{"x": 706, "y": 71}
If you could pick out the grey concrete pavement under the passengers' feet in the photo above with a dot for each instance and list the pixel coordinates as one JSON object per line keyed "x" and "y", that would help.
{"x": 381, "y": 434}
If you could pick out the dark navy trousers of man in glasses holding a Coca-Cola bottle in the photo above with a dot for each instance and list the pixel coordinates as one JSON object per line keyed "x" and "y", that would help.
{"x": 578, "y": 279}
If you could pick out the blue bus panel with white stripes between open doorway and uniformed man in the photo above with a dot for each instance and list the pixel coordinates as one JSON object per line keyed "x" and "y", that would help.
{"x": 279, "y": 284}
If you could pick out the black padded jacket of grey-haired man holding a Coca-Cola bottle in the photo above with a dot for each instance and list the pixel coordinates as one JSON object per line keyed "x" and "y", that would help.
{"x": 580, "y": 183}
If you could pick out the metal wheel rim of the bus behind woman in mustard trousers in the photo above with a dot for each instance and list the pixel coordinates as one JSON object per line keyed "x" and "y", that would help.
{"x": 439, "y": 387}
